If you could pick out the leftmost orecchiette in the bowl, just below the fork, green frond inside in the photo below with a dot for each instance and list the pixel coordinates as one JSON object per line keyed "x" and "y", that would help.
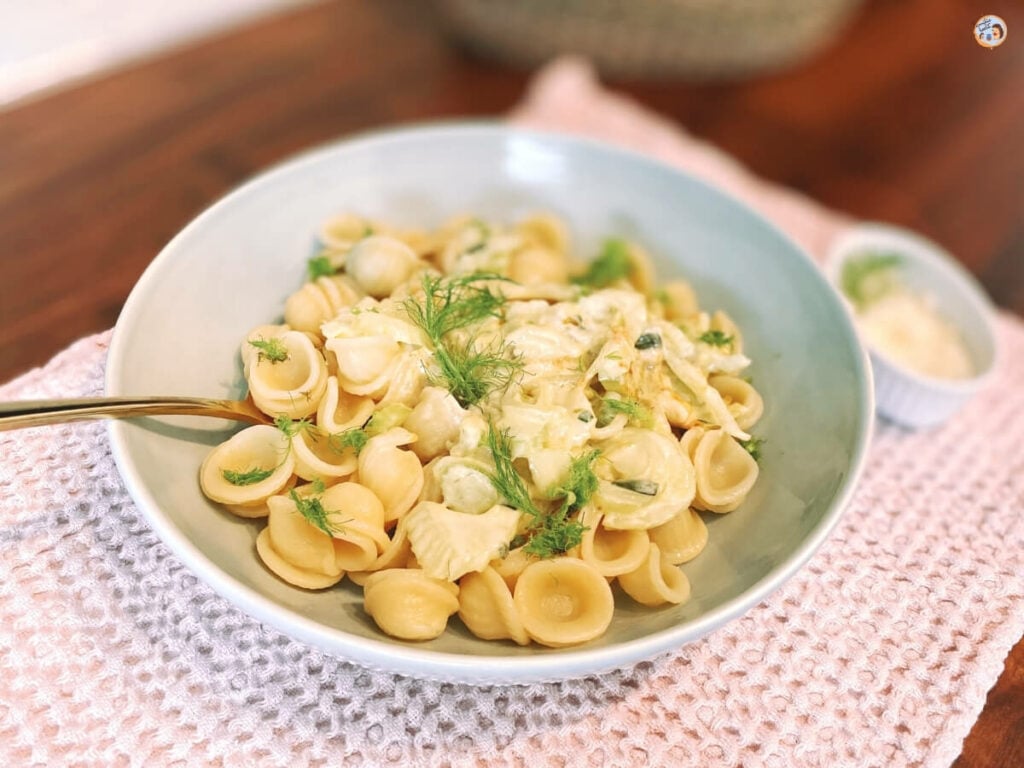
{"x": 261, "y": 452}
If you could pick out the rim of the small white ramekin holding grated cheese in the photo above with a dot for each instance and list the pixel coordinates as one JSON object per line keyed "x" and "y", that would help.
{"x": 938, "y": 263}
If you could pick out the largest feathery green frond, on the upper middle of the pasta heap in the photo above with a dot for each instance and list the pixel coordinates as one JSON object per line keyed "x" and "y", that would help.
{"x": 455, "y": 304}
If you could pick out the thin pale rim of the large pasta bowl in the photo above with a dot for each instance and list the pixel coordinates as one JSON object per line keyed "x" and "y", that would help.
{"x": 407, "y": 659}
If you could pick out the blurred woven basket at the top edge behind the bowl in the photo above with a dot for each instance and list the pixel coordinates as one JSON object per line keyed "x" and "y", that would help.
{"x": 700, "y": 39}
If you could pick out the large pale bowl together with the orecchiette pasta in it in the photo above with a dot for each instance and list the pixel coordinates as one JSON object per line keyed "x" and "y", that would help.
{"x": 494, "y": 460}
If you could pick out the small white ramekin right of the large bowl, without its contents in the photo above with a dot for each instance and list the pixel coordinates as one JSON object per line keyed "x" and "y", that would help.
{"x": 902, "y": 395}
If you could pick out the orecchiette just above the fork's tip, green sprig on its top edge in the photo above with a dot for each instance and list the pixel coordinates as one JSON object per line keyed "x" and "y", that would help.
{"x": 292, "y": 387}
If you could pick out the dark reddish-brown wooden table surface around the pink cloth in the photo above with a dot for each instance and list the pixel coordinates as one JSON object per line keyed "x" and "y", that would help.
{"x": 906, "y": 119}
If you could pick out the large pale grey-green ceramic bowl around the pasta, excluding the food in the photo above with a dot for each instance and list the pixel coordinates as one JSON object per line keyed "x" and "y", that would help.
{"x": 232, "y": 269}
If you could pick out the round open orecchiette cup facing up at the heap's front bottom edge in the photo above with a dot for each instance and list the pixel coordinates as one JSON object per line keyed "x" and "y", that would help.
{"x": 564, "y": 602}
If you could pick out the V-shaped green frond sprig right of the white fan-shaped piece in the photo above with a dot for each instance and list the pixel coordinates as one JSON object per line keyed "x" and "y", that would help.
{"x": 548, "y": 534}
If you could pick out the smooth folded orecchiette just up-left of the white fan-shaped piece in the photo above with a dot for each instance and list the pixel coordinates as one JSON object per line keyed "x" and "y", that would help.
{"x": 394, "y": 474}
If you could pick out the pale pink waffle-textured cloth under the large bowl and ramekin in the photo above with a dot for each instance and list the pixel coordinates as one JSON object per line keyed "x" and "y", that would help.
{"x": 880, "y": 652}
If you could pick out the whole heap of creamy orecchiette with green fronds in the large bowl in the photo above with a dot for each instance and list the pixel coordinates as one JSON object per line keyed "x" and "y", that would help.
{"x": 471, "y": 421}
